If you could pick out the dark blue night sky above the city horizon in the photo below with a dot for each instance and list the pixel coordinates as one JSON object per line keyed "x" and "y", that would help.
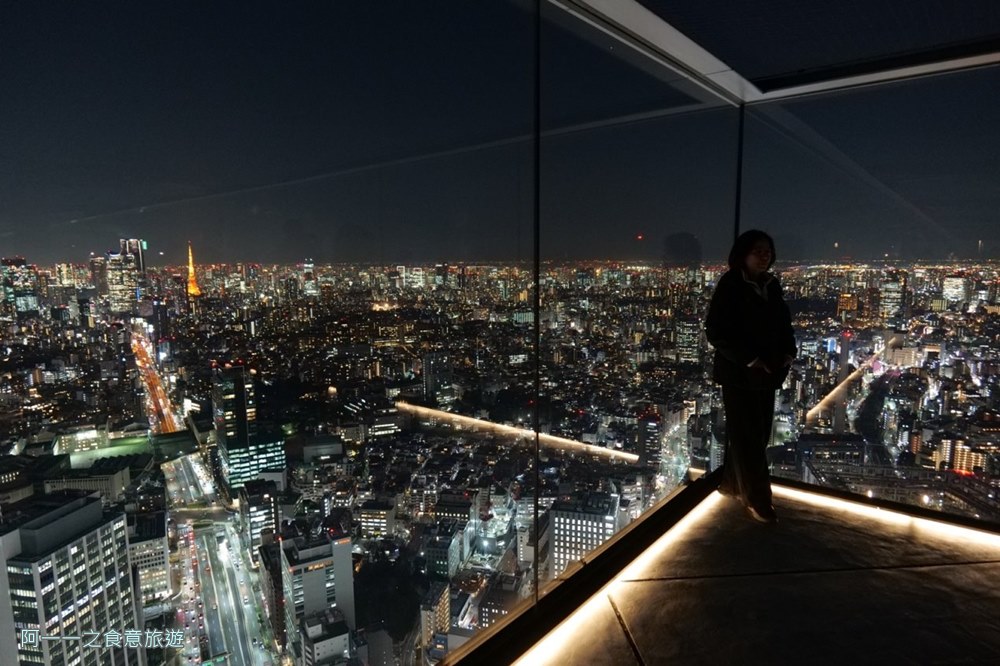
{"x": 402, "y": 132}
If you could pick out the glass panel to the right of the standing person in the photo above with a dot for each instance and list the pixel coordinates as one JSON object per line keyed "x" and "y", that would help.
{"x": 882, "y": 205}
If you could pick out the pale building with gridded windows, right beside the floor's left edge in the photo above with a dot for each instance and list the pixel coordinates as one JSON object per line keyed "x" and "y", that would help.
{"x": 581, "y": 525}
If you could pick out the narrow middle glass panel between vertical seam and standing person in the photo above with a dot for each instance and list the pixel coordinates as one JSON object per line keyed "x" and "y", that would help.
{"x": 637, "y": 198}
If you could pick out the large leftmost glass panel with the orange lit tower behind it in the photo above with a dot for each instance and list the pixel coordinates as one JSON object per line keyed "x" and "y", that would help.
{"x": 327, "y": 306}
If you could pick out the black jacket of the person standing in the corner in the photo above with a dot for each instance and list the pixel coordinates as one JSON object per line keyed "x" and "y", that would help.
{"x": 744, "y": 326}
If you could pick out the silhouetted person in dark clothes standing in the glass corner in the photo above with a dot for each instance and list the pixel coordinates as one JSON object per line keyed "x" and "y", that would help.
{"x": 750, "y": 327}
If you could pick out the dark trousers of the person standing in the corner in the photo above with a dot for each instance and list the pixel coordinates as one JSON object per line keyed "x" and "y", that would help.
{"x": 749, "y": 416}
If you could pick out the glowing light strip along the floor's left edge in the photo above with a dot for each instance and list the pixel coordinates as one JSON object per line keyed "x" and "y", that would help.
{"x": 552, "y": 647}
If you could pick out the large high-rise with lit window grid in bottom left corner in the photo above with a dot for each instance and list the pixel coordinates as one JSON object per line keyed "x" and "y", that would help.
{"x": 65, "y": 571}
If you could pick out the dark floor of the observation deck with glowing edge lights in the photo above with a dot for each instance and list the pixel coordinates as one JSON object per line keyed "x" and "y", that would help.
{"x": 820, "y": 587}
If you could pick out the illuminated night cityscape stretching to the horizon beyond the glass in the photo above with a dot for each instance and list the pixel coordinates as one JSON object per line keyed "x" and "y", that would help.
{"x": 387, "y": 418}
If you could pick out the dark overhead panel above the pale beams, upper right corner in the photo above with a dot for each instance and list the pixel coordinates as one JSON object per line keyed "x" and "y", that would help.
{"x": 784, "y": 41}
